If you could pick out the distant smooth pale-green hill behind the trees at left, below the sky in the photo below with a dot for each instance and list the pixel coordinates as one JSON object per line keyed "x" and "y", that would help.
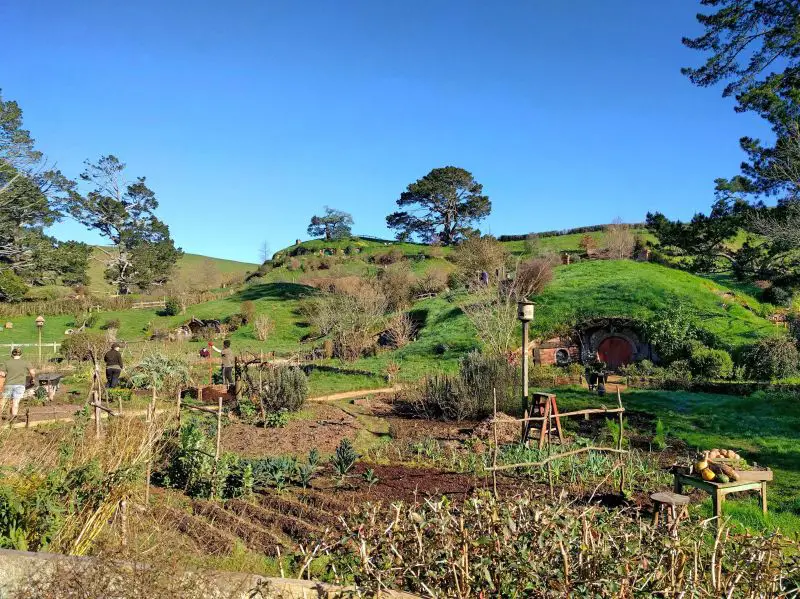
{"x": 192, "y": 270}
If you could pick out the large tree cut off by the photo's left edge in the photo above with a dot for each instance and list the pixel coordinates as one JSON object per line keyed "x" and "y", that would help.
{"x": 33, "y": 196}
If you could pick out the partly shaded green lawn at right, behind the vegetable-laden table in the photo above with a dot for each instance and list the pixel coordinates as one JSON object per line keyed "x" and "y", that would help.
{"x": 763, "y": 428}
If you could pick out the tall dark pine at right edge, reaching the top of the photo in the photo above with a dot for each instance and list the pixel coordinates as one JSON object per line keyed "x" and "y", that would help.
{"x": 753, "y": 47}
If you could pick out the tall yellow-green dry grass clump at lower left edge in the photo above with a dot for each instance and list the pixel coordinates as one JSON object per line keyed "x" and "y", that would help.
{"x": 61, "y": 498}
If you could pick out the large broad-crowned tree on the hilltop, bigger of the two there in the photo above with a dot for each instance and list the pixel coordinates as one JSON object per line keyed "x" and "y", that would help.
{"x": 441, "y": 206}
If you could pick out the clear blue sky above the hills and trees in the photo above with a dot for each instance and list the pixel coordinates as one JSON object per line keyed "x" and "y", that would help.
{"x": 247, "y": 117}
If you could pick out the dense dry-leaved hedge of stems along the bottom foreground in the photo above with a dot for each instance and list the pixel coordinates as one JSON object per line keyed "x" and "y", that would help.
{"x": 524, "y": 547}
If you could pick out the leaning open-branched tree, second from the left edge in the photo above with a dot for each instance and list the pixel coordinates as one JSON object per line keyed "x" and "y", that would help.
{"x": 143, "y": 253}
